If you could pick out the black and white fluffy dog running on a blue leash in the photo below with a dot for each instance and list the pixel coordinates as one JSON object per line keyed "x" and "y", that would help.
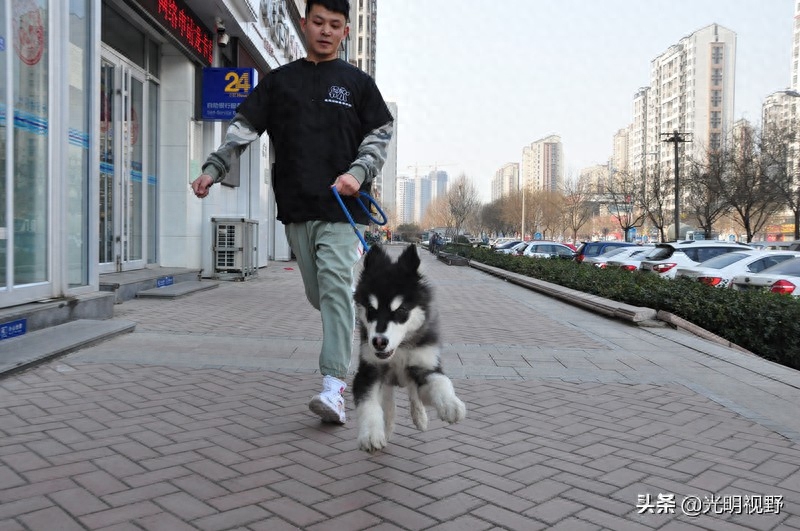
{"x": 399, "y": 348}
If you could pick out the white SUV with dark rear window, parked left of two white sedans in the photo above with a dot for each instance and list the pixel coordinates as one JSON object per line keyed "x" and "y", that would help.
{"x": 666, "y": 258}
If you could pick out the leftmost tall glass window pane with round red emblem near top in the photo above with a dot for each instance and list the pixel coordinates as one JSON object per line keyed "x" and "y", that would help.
{"x": 30, "y": 141}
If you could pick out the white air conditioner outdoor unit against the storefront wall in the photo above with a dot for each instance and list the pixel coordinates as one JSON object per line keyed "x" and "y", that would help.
{"x": 235, "y": 248}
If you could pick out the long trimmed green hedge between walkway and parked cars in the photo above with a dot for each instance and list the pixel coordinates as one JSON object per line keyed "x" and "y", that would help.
{"x": 767, "y": 324}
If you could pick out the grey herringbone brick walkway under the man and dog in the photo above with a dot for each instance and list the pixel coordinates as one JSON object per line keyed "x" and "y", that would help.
{"x": 198, "y": 420}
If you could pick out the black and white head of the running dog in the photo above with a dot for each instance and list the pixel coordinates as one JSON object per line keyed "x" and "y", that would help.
{"x": 392, "y": 302}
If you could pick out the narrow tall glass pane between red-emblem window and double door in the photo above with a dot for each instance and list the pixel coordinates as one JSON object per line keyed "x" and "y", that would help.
{"x": 77, "y": 178}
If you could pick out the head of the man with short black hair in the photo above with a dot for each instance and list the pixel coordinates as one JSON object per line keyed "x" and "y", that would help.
{"x": 325, "y": 27}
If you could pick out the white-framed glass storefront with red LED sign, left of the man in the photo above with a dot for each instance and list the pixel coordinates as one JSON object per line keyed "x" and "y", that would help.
{"x": 100, "y": 135}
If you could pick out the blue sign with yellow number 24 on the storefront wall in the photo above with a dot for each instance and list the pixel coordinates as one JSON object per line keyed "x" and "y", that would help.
{"x": 224, "y": 89}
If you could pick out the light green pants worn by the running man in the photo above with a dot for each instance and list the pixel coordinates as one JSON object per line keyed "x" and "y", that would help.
{"x": 326, "y": 253}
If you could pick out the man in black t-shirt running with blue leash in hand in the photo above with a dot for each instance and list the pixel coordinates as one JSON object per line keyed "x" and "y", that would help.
{"x": 330, "y": 127}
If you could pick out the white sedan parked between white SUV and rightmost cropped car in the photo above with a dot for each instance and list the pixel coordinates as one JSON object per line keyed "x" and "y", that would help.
{"x": 719, "y": 271}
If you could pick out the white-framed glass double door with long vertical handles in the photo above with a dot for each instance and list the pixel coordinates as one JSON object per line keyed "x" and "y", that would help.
{"x": 123, "y": 197}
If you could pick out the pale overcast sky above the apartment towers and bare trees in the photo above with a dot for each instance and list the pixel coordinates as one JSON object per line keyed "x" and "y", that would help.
{"x": 477, "y": 80}
